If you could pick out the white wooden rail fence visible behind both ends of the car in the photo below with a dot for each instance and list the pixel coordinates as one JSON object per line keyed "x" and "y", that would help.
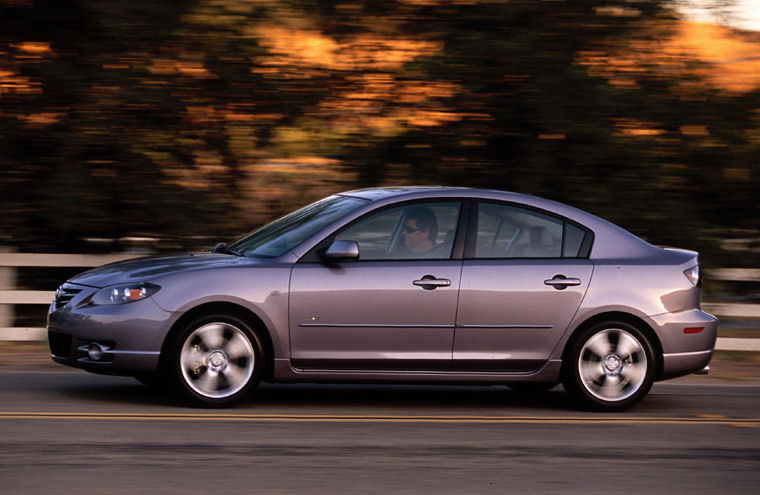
{"x": 10, "y": 296}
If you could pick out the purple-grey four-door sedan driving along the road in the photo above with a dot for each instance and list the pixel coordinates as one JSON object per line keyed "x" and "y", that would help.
{"x": 409, "y": 284}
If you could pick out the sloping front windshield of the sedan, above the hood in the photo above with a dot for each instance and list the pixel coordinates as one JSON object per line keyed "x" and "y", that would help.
{"x": 282, "y": 235}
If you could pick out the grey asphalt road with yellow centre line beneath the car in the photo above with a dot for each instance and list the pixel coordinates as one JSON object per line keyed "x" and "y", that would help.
{"x": 64, "y": 431}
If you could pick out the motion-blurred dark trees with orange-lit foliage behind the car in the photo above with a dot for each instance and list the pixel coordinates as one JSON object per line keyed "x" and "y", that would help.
{"x": 167, "y": 125}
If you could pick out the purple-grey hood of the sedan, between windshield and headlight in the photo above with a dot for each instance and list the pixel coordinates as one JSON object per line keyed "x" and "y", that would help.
{"x": 151, "y": 268}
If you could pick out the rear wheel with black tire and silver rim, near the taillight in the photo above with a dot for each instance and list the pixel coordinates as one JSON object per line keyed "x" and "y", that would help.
{"x": 609, "y": 367}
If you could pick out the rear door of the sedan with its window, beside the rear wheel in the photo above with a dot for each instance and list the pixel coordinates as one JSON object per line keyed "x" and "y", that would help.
{"x": 523, "y": 280}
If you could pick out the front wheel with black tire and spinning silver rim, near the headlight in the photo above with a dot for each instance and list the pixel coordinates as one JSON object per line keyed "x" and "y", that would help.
{"x": 215, "y": 361}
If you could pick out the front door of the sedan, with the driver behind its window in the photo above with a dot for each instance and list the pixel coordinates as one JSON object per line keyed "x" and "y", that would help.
{"x": 394, "y": 308}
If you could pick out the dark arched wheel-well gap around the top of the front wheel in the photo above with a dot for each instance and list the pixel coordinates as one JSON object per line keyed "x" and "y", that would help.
{"x": 231, "y": 309}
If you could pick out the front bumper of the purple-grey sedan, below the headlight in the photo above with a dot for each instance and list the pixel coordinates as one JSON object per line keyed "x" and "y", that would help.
{"x": 131, "y": 334}
